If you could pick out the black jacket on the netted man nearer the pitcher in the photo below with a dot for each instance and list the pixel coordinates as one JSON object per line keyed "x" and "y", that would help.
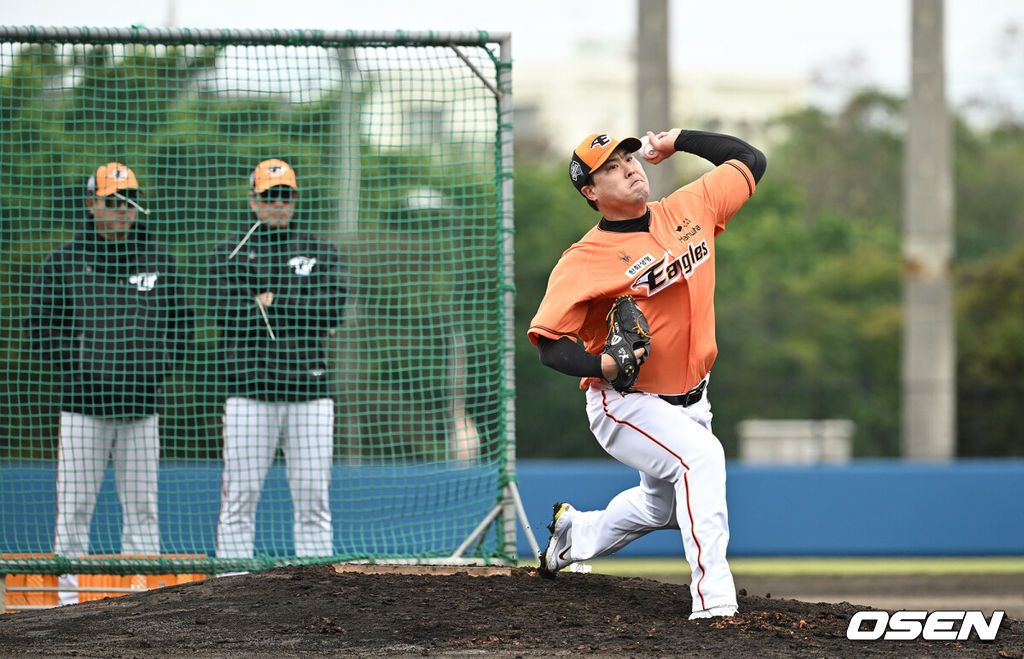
{"x": 308, "y": 280}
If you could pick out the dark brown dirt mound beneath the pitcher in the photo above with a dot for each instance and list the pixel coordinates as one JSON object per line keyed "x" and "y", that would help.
{"x": 494, "y": 612}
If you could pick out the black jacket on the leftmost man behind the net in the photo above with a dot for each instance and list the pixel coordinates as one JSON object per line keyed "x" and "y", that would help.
{"x": 115, "y": 319}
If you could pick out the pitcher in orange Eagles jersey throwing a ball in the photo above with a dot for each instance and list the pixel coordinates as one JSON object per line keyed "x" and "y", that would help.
{"x": 630, "y": 310}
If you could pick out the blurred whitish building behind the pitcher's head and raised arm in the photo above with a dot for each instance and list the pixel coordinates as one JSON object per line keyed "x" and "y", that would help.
{"x": 594, "y": 92}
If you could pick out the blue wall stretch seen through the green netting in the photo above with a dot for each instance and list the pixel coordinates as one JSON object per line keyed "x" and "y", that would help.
{"x": 382, "y": 510}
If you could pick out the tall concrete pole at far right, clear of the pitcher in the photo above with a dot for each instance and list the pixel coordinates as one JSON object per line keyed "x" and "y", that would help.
{"x": 929, "y": 350}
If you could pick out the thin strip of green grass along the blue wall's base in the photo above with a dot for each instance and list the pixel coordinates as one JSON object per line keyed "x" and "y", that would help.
{"x": 854, "y": 566}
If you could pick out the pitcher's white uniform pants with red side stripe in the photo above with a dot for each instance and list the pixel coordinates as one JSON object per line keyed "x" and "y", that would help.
{"x": 682, "y": 486}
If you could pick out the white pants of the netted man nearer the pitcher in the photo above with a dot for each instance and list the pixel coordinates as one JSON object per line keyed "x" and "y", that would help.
{"x": 253, "y": 430}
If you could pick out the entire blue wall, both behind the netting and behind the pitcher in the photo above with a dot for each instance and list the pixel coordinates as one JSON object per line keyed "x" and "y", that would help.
{"x": 866, "y": 508}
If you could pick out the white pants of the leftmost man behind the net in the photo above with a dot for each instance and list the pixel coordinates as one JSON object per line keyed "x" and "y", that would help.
{"x": 87, "y": 446}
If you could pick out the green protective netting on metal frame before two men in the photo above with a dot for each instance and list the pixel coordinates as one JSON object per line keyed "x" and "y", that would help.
{"x": 149, "y": 402}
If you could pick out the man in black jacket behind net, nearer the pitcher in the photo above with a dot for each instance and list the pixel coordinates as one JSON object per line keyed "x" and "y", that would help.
{"x": 277, "y": 293}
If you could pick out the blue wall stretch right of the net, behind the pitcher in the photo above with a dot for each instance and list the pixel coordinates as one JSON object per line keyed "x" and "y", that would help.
{"x": 865, "y": 508}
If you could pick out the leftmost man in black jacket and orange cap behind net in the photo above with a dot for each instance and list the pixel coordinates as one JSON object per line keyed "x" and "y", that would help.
{"x": 110, "y": 313}
